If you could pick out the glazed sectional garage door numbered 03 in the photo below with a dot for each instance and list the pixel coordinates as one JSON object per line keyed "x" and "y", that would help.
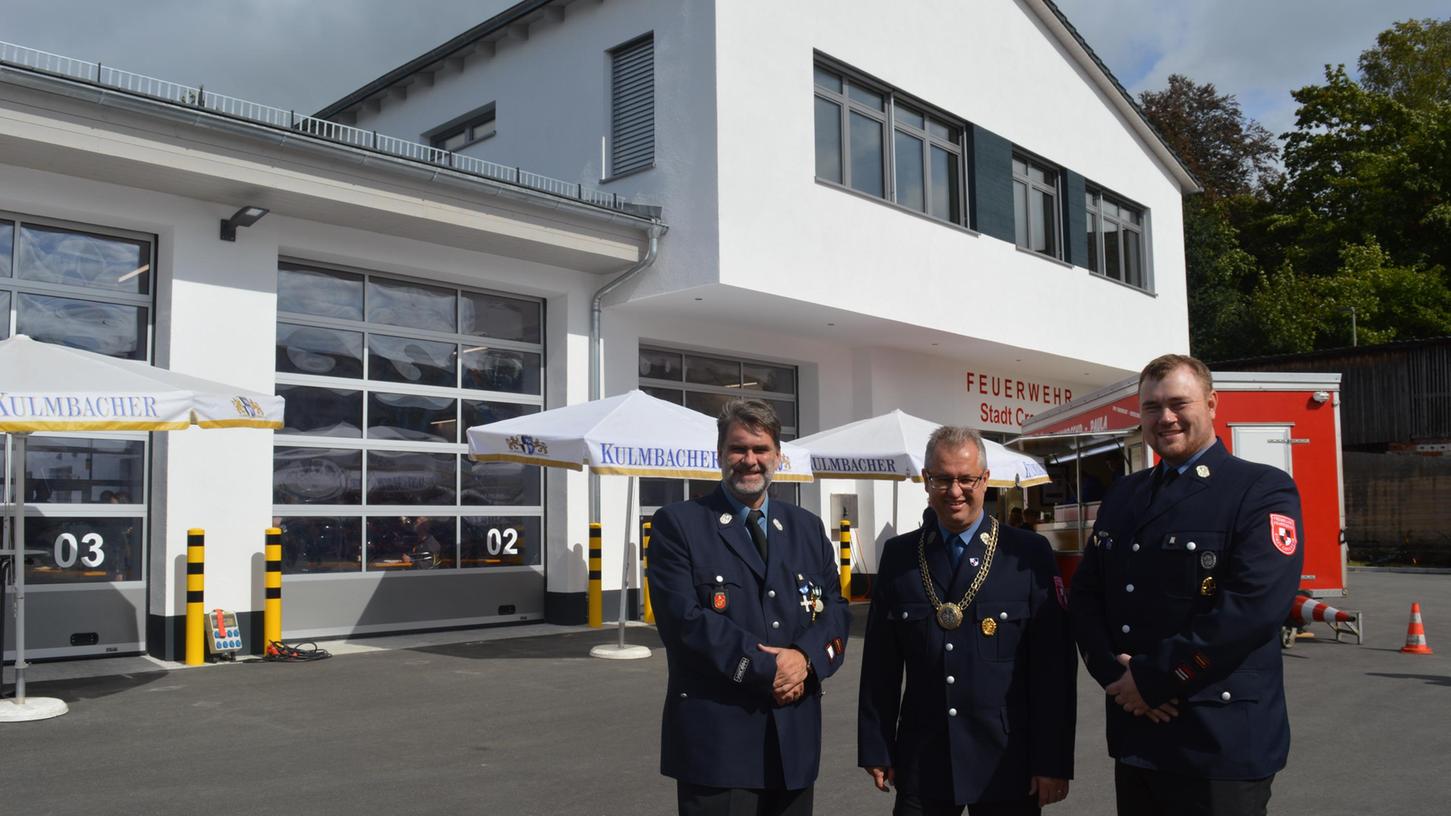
{"x": 86, "y": 494}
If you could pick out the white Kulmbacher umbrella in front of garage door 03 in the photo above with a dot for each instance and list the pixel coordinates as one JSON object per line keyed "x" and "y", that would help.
{"x": 56, "y": 388}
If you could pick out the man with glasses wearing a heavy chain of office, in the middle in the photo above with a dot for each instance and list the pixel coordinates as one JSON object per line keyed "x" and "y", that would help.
{"x": 974, "y": 613}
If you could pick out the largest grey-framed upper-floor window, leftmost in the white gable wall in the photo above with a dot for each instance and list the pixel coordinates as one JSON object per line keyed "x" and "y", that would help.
{"x": 873, "y": 140}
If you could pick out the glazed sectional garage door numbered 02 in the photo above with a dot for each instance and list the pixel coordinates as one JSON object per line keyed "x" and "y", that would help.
{"x": 387, "y": 523}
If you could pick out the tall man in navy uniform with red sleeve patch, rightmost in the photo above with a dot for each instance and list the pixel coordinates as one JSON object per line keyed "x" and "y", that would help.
{"x": 1177, "y": 608}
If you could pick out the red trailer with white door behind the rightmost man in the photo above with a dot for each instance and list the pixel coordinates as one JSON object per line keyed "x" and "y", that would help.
{"x": 1288, "y": 420}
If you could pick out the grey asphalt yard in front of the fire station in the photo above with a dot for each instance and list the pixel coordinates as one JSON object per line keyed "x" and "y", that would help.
{"x": 525, "y": 722}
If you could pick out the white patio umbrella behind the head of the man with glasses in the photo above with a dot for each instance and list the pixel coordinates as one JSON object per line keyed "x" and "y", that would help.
{"x": 893, "y": 445}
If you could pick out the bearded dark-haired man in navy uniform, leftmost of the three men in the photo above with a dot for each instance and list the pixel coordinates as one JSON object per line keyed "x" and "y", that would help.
{"x": 748, "y": 600}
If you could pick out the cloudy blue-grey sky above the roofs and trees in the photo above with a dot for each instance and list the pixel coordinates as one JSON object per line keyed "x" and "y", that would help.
{"x": 304, "y": 54}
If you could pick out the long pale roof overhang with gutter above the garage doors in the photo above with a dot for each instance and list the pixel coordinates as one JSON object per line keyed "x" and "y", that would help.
{"x": 92, "y": 134}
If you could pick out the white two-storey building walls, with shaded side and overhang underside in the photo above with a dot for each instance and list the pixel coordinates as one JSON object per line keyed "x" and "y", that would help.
{"x": 880, "y": 309}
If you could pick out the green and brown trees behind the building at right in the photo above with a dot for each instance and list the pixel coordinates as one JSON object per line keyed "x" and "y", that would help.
{"x": 1359, "y": 223}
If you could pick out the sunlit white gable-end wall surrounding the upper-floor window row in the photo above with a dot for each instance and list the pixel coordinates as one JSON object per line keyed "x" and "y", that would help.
{"x": 990, "y": 65}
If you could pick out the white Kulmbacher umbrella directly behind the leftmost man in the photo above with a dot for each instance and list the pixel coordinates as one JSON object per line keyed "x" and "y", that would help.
{"x": 632, "y": 435}
